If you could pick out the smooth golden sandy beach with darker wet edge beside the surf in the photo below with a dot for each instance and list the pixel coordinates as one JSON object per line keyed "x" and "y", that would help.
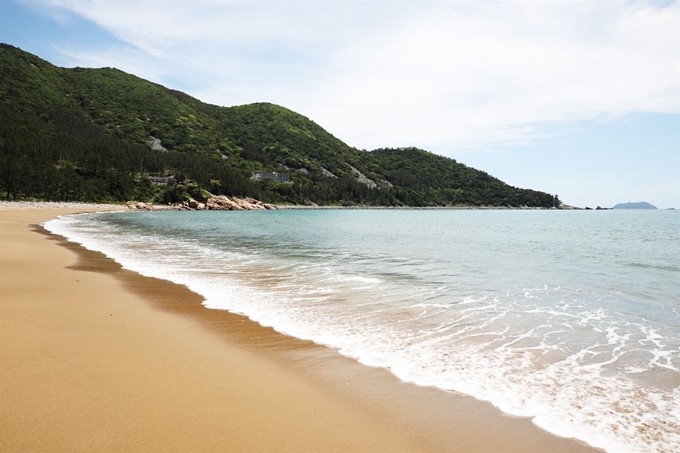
{"x": 95, "y": 358}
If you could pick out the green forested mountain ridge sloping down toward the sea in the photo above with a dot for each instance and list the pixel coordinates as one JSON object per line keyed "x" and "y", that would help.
{"x": 102, "y": 134}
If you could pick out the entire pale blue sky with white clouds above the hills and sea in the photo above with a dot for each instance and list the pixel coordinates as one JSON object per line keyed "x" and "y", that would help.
{"x": 572, "y": 97}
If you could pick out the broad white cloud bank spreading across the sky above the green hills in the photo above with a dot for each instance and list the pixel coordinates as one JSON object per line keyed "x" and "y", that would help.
{"x": 443, "y": 75}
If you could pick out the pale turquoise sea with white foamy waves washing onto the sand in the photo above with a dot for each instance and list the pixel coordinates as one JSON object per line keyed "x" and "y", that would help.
{"x": 571, "y": 318}
